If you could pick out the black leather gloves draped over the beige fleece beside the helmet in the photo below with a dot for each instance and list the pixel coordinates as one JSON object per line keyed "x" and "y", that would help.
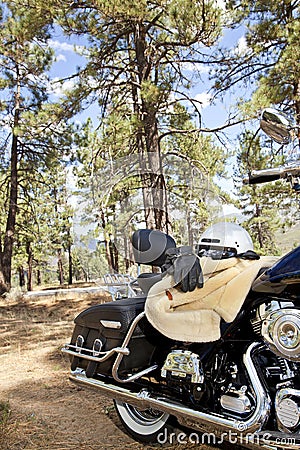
{"x": 185, "y": 267}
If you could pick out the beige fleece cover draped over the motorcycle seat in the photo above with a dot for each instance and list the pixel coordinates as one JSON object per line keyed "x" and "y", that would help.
{"x": 195, "y": 316}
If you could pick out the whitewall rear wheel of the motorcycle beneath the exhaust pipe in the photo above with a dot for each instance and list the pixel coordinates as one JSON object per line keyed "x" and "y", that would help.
{"x": 148, "y": 425}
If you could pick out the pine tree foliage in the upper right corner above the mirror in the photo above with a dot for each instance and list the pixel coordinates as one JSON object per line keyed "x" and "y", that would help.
{"x": 268, "y": 65}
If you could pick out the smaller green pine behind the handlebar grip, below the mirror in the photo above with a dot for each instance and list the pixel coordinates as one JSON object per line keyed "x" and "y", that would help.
{"x": 266, "y": 207}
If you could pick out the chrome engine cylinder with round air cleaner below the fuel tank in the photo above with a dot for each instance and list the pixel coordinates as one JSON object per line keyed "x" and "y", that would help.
{"x": 279, "y": 325}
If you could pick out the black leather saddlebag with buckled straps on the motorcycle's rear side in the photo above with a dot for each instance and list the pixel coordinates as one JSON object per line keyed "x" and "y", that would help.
{"x": 109, "y": 322}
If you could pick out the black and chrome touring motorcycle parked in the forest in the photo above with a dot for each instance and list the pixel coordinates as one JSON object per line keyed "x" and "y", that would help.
{"x": 243, "y": 388}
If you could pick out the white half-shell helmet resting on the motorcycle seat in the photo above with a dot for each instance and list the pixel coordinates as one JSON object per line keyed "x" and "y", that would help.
{"x": 226, "y": 238}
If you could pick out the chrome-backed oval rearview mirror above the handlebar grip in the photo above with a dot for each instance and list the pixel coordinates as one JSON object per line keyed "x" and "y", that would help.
{"x": 276, "y": 125}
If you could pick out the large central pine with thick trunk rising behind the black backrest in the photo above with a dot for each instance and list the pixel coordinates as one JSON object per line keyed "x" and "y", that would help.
{"x": 137, "y": 54}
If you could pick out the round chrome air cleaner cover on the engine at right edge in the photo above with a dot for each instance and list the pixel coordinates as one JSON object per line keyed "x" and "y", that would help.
{"x": 281, "y": 331}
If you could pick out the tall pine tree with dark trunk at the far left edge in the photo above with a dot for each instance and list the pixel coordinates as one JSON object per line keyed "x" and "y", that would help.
{"x": 34, "y": 133}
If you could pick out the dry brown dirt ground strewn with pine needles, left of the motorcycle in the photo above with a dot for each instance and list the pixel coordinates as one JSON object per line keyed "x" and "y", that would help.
{"x": 39, "y": 408}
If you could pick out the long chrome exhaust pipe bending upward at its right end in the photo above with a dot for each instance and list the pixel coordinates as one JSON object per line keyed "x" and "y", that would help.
{"x": 188, "y": 416}
